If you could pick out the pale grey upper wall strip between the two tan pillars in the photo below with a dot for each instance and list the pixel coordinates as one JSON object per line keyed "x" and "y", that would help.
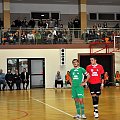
{"x": 28, "y": 8}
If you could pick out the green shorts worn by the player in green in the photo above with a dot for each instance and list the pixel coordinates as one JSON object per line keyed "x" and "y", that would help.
{"x": 78, "y": 92}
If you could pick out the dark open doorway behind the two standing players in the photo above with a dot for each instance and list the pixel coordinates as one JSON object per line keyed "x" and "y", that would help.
{"x": 106, "y": 60}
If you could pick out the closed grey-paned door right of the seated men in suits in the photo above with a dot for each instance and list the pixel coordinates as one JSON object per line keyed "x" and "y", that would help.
{"x": 37, "y": 73}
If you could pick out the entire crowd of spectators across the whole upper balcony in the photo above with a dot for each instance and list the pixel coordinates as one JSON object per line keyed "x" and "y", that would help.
{"x": 53, "y": 32}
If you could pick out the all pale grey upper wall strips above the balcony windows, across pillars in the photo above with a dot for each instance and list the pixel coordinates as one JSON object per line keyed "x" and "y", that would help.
{"x": 64, "y": 9}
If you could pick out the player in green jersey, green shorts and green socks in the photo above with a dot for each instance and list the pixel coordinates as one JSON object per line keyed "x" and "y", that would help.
{"x": 77, "y": 76}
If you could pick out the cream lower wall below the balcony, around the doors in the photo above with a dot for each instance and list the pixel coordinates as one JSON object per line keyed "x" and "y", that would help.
{"x": 52, "y": 60}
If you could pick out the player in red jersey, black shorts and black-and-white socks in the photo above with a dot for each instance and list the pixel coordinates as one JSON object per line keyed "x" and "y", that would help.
{"x": 96, "y": 82}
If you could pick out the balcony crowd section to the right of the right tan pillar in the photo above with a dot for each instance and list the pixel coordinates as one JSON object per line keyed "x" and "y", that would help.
{"x": 102, "y": 32}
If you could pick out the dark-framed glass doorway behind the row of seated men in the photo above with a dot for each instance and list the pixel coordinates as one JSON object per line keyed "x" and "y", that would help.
{"x": 34, "y": 66}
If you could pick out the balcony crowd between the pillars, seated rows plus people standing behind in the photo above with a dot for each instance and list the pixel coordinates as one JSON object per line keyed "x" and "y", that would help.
{"x": 45, "y": 32}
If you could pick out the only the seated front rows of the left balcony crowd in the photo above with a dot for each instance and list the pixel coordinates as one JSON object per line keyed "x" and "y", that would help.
{"x": 37, "y": 36}
